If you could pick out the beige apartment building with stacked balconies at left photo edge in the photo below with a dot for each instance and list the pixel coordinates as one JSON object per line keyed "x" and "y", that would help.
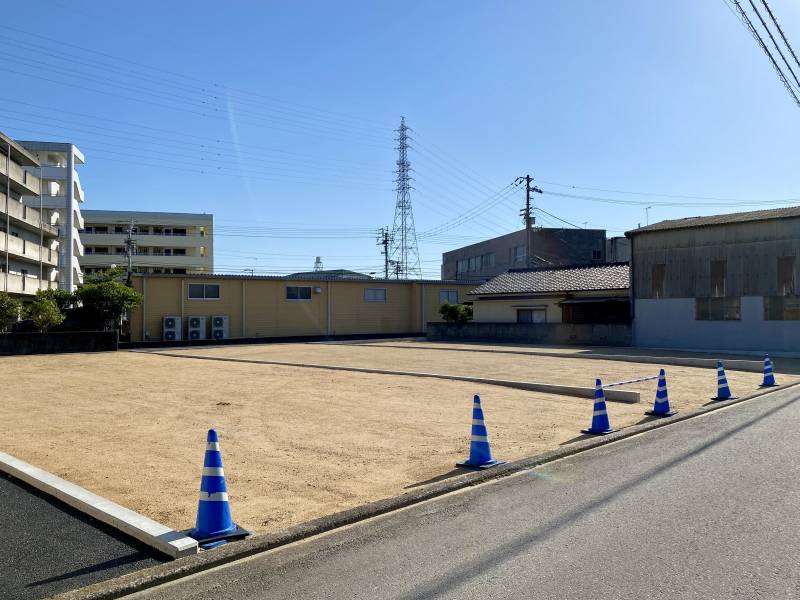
{"x": 29, "y": 238}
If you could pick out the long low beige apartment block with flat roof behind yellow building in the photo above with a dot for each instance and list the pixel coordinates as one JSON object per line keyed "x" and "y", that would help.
{"x": 164, "y": 243}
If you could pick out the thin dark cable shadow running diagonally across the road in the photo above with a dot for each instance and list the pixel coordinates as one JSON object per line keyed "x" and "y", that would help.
{"x": 445, "y": 583}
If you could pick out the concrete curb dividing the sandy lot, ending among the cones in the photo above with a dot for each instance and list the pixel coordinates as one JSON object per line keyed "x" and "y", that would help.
{"x": 626, "y": 396}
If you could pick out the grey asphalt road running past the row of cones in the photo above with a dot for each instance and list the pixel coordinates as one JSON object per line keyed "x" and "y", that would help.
{"x": 708, "y": 508}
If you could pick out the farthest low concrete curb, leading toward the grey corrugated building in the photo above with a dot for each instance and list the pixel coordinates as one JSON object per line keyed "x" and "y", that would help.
{"x": 736, "y": 364}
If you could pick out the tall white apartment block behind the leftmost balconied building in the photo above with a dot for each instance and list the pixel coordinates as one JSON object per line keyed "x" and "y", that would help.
{"x": 61, "y": 193}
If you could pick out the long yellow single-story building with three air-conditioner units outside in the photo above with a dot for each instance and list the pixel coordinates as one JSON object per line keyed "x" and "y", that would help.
{"x": 196, "y": 307}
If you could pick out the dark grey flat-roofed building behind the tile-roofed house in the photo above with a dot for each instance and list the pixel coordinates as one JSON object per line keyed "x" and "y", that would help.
{"x": 551, "y": 248}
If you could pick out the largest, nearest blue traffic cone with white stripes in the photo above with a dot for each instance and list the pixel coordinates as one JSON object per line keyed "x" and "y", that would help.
{"x": 214, "y": 525}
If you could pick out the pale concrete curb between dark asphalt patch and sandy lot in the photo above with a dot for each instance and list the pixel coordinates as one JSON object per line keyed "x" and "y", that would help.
{"x": 158, "y": 536}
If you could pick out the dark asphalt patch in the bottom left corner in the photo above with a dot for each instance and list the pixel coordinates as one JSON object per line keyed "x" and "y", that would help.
{"x": 47, "y": 547}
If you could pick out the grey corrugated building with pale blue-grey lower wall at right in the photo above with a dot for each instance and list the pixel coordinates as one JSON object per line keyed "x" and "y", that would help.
{"x": 725, "y": 282}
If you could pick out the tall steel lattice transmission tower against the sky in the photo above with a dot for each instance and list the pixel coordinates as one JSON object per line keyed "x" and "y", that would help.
{"x": 404, "y": 251}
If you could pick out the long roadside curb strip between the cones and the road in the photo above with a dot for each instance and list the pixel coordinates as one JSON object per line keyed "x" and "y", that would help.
{"x": 153, "y": 576}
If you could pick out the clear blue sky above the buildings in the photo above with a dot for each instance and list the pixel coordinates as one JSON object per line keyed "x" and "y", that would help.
{"x": 279, "y": 115}
